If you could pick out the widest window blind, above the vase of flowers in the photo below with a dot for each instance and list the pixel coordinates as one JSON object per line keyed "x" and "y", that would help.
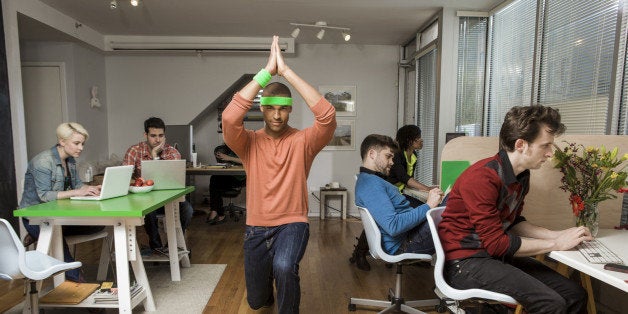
{"x": 576, "y": 62}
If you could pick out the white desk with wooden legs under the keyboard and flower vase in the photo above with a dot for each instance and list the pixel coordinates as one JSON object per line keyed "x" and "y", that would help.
{"x": 616, "y": 241}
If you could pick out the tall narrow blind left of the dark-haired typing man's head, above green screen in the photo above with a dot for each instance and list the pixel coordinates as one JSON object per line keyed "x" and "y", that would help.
{"x": 472, "y": 33}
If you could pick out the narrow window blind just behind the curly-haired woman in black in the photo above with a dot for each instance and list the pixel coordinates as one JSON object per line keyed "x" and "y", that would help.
{"x": 426, "y": 116}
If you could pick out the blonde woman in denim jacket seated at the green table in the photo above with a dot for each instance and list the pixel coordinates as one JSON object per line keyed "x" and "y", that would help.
{"x": 52, "y": 175}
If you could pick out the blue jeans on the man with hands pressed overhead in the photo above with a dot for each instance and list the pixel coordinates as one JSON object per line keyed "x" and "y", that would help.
{"x": 274, "y": 253}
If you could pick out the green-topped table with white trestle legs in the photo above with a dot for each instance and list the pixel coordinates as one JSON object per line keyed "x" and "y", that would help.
{"x": 124, "y": 214}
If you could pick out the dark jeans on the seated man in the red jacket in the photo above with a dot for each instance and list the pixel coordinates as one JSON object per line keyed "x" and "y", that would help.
{"x": 538, "y": 288}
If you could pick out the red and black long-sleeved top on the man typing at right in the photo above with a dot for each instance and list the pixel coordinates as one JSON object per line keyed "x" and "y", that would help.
{"x": 484, "y": 203}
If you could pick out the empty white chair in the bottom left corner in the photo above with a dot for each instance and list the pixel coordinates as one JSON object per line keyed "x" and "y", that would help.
{"x": 17, "y": 263}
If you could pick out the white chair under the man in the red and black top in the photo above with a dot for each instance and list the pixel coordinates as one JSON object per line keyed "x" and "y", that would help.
{"x": 451, "y": 296}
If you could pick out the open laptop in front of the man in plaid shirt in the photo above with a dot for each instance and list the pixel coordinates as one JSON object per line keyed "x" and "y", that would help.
{"x": 167, "y": 174}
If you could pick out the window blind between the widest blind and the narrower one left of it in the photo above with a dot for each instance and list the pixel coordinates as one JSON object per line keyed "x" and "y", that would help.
{"x": 512, "y": 58}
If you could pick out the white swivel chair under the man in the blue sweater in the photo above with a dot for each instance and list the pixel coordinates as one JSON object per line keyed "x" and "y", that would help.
{"x": 396, "y": 302}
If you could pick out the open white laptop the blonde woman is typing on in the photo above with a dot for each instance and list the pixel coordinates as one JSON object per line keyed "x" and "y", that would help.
{"x": 114, "y": 184}
